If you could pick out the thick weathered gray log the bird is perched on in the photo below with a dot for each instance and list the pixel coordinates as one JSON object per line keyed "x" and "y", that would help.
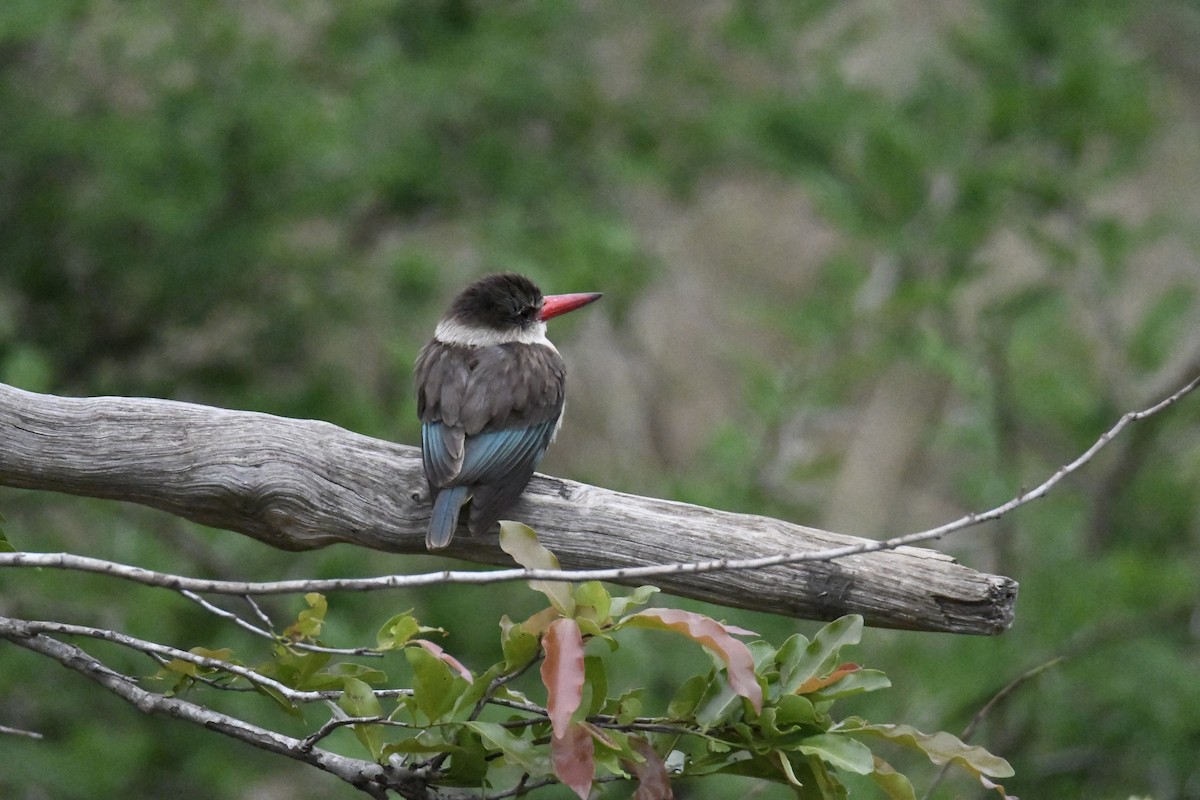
{"x": 302, "y": 484}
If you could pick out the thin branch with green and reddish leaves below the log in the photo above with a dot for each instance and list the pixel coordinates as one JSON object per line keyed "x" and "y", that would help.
{"x": 760, "y": 711}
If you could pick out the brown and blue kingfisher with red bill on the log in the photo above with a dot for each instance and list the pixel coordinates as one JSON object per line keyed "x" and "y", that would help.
{"x": 490, "y": 396}
